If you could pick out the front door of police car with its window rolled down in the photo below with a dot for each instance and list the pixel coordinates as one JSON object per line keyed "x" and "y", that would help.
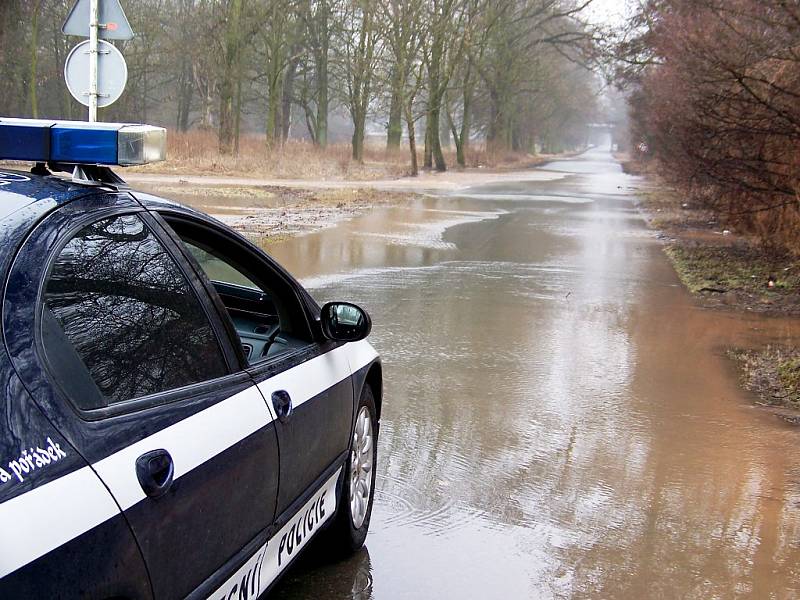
{"x": 306, "y": 379}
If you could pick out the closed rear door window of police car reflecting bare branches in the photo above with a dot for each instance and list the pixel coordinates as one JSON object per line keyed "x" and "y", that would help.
{"x": 129, "y": 311}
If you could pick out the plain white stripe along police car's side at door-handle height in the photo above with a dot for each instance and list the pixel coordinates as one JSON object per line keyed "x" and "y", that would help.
{"x": 51, "y": 515}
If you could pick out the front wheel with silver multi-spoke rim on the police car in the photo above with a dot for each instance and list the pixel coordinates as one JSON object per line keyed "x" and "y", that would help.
{"x": 351, "y": 524}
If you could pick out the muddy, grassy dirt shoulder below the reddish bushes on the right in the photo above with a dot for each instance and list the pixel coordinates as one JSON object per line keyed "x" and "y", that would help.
{"x": 725, "y": 270}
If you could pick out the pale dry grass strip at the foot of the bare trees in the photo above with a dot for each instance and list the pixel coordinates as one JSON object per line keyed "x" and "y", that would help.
{"x": 197, "y": 152}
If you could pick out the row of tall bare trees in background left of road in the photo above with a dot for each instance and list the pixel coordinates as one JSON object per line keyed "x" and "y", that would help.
{"x": 510, "y": 72}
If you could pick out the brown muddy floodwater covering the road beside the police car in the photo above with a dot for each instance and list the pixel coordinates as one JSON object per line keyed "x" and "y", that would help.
{"x": 560, "y": 419}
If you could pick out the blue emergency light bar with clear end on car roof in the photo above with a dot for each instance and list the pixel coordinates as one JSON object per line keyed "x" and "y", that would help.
{"x": 78, "y": 142}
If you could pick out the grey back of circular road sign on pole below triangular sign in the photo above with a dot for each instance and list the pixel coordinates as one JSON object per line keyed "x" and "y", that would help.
{"x": 112, "y": 73}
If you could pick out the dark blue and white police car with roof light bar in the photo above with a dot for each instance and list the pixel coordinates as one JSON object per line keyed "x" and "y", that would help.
{"x": 179, "y": 418}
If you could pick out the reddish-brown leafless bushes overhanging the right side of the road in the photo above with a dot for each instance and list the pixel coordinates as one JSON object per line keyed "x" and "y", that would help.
{"x": 716, "y": 102}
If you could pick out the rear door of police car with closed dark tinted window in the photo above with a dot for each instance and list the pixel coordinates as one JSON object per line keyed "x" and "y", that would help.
{"x": 141, "y": 379}
